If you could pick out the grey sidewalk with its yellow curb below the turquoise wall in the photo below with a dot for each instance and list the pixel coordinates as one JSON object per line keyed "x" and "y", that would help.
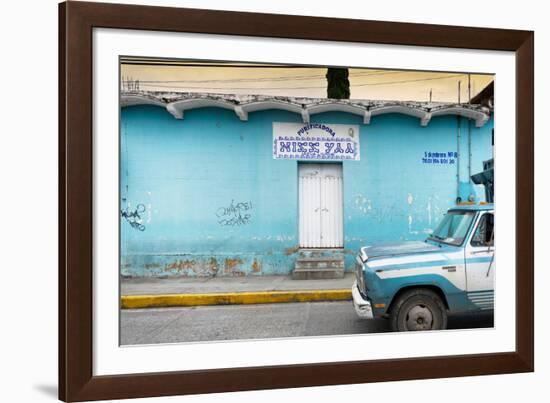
{"x": 194, "y": 291}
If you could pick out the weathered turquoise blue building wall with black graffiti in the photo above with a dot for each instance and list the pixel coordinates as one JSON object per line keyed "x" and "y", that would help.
{"x": 203, "y": 196}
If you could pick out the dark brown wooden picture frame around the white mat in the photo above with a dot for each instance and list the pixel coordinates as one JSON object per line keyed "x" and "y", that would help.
{"x": 76, "y": 23}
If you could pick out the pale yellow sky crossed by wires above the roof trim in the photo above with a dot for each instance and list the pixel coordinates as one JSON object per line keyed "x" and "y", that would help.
{"x": 298, "y": 81}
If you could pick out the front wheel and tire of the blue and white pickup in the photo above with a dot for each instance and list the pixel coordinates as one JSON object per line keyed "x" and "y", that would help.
{"x": 418, "y": 309}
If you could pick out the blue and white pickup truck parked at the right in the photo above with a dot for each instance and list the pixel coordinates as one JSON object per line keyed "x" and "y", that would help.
{"x": 416, "y": 284}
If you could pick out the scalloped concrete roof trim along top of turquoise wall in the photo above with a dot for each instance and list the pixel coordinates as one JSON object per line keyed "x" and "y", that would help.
{"x": 242, "y": 105}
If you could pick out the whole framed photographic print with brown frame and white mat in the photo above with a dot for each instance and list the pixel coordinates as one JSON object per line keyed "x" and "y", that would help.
{"x": 252, "y": 201}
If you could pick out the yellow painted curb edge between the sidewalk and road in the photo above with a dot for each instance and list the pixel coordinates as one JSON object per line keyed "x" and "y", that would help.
{"x": 233, "y": 298}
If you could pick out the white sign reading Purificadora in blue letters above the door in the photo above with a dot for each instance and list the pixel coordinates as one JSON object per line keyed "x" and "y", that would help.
{"x": 315, "y": 141}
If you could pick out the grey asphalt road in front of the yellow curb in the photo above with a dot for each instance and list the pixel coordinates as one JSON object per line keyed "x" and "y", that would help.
{"x": 208, "y": 323}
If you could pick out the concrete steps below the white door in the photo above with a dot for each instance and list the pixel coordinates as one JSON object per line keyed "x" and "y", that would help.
{"x": 318, "y": 267}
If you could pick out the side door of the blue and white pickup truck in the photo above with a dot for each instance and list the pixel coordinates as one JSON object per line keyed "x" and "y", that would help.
{"x": 480, "y": 262}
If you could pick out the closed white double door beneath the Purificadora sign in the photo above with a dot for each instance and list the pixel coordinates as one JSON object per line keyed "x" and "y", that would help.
{"x": 320, "y": 210}
